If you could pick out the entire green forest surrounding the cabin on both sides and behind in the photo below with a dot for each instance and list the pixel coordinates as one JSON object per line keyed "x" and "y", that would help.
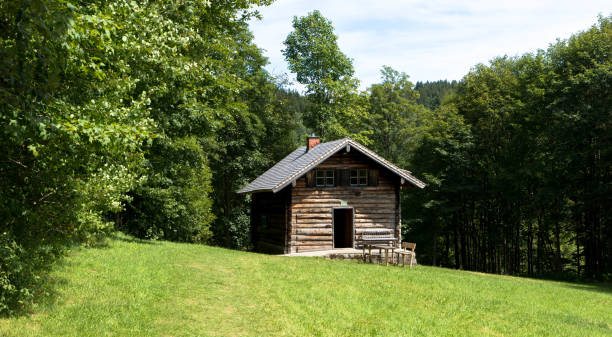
{"x": 147, "y": 117}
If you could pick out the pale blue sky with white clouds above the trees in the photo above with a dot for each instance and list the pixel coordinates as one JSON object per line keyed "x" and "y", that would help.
{"x": 427, "y": 39}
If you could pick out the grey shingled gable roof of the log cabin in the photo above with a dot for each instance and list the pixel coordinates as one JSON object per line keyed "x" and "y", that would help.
{"x": 300, "y": 161}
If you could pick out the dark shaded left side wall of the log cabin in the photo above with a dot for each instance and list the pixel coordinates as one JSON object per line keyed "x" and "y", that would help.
{"x": 269, "y": 237}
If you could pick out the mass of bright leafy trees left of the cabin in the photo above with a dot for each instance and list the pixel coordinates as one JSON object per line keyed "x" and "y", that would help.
{"x": 144, "y": 116}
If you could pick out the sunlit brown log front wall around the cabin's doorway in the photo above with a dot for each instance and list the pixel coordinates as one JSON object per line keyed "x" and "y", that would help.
{"x": 311, "y": 210}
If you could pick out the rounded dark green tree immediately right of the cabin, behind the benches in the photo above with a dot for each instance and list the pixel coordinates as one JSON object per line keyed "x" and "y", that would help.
{"x": 442, "y": 160}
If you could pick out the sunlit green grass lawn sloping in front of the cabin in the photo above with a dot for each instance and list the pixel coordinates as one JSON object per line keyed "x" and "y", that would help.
{"x": 132, "y": 288}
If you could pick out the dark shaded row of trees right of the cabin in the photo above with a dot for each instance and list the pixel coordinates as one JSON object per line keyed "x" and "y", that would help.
{"x": 519, "y": 165}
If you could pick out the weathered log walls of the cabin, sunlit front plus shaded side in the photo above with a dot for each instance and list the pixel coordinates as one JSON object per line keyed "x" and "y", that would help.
{"x": 300, "y": 218}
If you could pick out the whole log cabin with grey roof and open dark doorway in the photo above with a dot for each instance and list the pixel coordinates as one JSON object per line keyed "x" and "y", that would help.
{"x": 325, "y": 196}
